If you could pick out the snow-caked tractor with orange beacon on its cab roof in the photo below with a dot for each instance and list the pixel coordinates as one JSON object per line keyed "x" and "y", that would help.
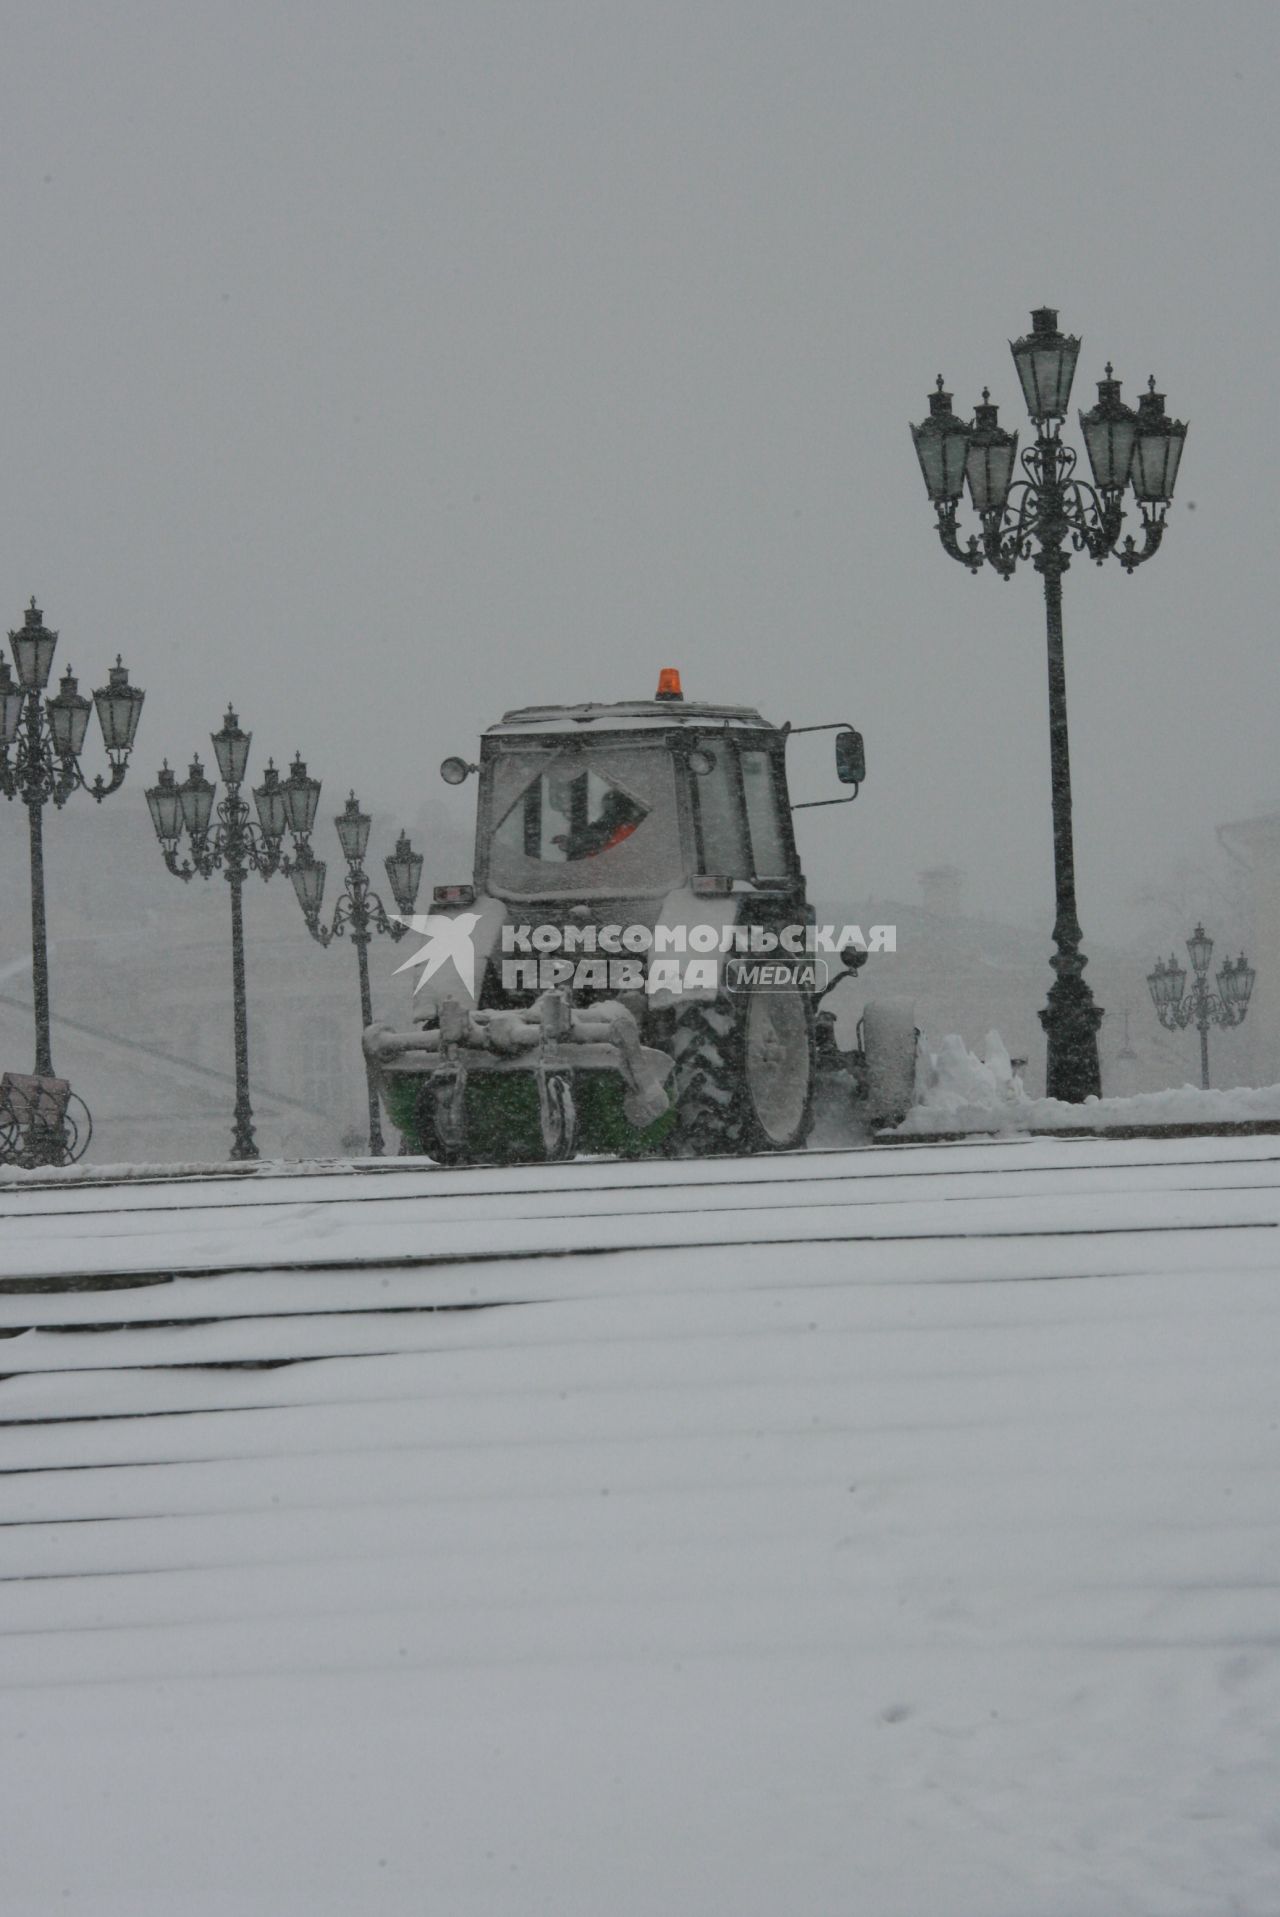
{"x": 635, "y": 965}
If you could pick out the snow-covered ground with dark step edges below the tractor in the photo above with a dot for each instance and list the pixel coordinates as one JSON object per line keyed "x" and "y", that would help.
{"x": 888, "y": 1531}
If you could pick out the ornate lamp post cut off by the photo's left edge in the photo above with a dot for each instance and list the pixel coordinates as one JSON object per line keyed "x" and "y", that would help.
{"x": 41, "y": 743}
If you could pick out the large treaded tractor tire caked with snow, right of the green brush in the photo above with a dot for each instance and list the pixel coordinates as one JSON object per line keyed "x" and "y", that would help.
{"x": 723, "y": 1105}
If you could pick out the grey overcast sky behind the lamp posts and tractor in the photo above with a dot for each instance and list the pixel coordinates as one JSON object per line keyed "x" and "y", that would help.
{"x": 386, "y": 367}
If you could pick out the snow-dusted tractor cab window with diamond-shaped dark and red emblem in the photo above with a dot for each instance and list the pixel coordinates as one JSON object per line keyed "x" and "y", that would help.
{"x": 587, "y": 820}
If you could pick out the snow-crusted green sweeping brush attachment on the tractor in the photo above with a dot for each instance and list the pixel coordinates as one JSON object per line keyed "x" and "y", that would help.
{"x": 493, "y": 1065}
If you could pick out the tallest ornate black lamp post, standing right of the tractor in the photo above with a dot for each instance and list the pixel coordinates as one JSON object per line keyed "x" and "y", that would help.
{"x": 1043, "y": 519}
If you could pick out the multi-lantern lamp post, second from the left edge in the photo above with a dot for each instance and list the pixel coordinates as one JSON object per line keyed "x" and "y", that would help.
{"x": 237, "y": 848}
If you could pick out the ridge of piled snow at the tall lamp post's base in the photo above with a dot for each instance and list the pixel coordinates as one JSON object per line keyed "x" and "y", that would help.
{"x": 959, "y": 1092}
